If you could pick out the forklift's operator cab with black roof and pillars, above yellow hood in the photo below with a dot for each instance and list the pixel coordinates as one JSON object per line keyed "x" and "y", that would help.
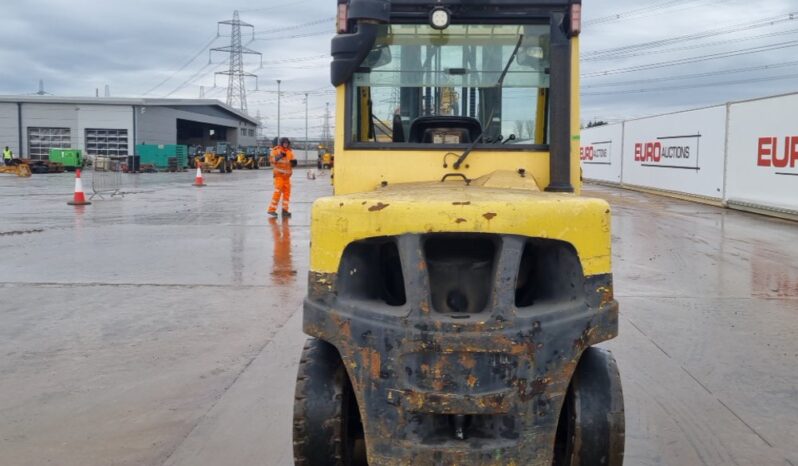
{"x": 406, "y": 85}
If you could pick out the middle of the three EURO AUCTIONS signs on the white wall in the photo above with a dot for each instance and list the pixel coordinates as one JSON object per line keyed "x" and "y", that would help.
{"x": 669, "y": 152}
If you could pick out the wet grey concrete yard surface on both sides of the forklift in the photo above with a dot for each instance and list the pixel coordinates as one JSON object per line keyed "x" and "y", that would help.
{"x": 164, "y": 327}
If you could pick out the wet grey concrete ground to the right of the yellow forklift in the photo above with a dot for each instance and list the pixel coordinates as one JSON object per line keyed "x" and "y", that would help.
{"x": 709, "y": 314}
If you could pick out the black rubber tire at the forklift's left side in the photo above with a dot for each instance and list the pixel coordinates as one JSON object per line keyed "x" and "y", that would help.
{"x": 327, "y": 428}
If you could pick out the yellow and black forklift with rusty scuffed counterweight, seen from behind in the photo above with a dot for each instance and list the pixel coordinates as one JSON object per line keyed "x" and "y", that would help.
{"x": 458, "y": 280}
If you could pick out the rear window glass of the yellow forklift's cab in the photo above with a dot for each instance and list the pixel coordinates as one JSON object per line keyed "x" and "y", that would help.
{"x": 425, "y": 86}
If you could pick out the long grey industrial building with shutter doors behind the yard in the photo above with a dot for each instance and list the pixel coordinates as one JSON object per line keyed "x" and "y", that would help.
{"x": 31, "y": 125}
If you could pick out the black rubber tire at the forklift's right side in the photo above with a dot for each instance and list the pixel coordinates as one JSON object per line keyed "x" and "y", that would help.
{"x": 591, "y": 430}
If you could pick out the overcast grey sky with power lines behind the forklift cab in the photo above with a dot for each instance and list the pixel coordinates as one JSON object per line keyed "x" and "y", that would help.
{"x": 146, "y": 46}
